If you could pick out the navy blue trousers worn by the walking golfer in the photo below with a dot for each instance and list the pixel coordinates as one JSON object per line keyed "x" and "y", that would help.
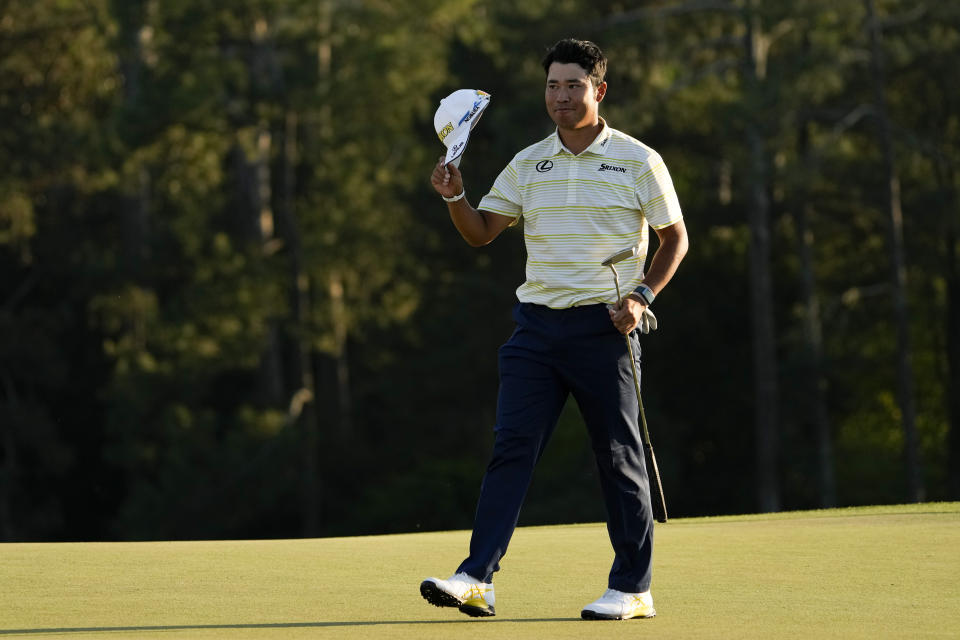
{"x": 551, "y": 354}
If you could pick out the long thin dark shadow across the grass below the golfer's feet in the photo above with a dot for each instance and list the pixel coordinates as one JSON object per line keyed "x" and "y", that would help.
{"x": 267, "y": 625}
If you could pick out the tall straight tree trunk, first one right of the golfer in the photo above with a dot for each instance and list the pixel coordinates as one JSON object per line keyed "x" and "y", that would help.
{"x": 766, "y": 418}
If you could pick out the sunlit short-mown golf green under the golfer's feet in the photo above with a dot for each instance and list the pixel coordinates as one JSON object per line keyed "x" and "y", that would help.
{"x": 879, "y": 572}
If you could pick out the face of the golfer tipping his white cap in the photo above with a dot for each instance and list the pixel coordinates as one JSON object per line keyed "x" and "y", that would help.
{"x": 572, "y": 100}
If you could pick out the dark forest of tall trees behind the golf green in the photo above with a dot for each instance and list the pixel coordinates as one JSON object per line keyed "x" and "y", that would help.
{"x": 232, "y": 306}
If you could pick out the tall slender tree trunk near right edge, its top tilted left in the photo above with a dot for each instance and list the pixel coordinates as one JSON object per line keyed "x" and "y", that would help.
{"x": 905, "y": 383}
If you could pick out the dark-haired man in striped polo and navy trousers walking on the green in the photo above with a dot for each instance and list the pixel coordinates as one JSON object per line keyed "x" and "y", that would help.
{"x": 584, "y": 192}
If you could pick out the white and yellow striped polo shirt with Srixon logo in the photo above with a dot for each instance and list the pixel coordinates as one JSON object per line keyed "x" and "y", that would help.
{"x": 579, "y": 209}
